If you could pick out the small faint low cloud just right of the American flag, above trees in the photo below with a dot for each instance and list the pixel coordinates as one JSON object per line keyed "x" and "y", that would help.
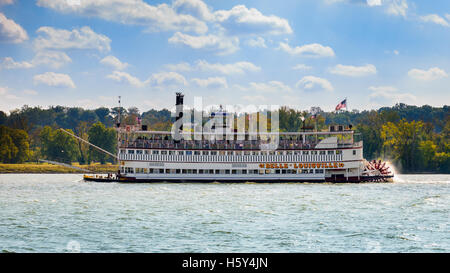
{"x": 390, "y": 95}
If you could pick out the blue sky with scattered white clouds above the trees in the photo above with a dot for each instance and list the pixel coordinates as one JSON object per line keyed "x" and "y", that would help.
{"x": 298, "y": 53}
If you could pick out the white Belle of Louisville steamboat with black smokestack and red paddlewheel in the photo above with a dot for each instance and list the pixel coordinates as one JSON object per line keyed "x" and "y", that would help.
{"x": 335, "y": 155}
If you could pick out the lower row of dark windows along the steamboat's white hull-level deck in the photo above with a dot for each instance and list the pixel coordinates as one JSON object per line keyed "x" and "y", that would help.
{"x": 212, "y": 171}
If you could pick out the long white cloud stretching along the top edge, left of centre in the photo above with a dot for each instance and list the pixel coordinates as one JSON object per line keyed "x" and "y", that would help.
{"x": 161, "y": 17}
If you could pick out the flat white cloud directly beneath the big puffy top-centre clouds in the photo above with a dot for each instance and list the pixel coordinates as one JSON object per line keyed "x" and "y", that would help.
{"x": 220, "y": 44}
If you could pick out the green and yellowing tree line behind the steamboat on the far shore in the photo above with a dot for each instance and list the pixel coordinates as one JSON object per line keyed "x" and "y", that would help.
{"x": 415, "y": 139}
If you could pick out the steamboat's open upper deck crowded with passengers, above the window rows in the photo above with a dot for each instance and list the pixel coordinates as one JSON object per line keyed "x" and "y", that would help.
{"x": 238, "y": 141}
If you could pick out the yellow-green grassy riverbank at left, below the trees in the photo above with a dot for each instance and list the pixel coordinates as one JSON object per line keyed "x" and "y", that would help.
{"x": 49, "y": 168}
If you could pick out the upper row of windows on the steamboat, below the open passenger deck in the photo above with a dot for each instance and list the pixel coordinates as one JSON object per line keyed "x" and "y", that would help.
{"x": 164, "y": 152}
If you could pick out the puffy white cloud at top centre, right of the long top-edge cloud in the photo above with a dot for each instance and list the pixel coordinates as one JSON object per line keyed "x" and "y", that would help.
{"x": 241, "y": 20}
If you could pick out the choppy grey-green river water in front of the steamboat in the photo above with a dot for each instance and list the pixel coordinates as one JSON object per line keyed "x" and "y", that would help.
{"x": 61, "y": 213}
